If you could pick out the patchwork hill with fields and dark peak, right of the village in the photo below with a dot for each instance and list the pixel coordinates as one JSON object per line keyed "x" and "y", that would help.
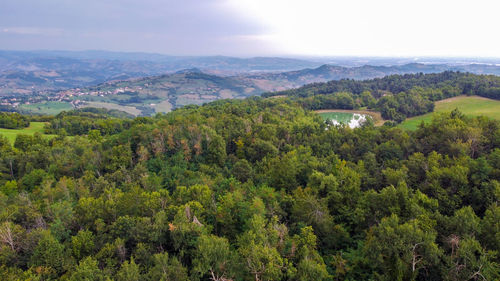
{"x": 165, "y": 92}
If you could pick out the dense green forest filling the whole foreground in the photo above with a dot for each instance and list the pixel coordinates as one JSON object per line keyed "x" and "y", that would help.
{"x": 255, "y": 189}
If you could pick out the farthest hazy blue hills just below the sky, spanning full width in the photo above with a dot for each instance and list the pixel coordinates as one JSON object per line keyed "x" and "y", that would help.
{"x": 30, "y": 72}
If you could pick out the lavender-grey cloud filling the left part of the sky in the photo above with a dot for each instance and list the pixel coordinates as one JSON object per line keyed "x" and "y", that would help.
{"x": 188, "y": 27}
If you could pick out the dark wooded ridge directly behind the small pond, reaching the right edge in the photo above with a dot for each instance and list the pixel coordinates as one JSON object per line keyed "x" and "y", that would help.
{"x": 397, "y": 96}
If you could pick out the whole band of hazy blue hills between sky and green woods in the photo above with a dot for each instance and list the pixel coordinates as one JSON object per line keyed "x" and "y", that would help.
{"x": 150, "y": 83}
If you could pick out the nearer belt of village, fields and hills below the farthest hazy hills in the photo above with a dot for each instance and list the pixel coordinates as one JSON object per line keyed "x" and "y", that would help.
{"x": 153, "y": 94}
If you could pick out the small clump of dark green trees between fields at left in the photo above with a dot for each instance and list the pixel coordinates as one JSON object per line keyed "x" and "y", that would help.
{"x": 82, "y": 121}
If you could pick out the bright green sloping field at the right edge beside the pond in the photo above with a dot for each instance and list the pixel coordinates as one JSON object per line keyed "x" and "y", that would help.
{"x": 470, "y": 106}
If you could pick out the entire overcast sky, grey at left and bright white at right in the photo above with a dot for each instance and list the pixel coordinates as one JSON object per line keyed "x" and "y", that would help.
{"x": 255, "y": 27}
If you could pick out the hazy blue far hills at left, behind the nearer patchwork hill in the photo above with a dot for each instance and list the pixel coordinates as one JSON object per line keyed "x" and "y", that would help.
{"x": 41, "y": 71}
